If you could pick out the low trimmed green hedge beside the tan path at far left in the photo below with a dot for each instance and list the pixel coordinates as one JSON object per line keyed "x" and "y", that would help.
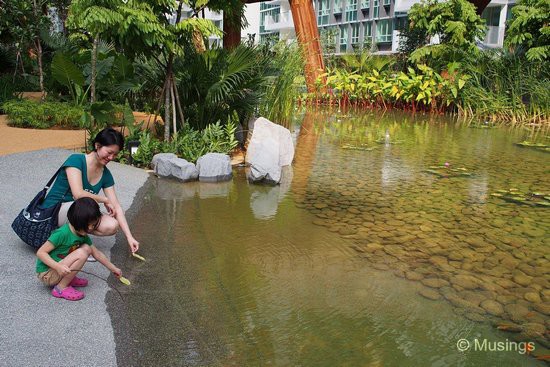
{"x": 42, "y": 115}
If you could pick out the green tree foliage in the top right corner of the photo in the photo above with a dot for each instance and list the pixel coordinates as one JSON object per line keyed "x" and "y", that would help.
{"x": 529, "y": 29}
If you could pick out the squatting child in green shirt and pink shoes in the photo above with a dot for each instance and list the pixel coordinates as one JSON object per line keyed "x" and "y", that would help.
{"x": 68, "y": 247}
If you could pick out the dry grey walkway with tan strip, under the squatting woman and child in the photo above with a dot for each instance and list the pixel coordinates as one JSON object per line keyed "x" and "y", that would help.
{"x": 36, "y": 328}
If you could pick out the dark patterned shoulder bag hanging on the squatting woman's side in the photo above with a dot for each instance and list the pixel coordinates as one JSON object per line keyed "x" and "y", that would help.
{"x": 35, "y": 224}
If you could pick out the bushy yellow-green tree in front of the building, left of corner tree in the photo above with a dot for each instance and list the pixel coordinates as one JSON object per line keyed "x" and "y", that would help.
{"x": 454, "y": 22}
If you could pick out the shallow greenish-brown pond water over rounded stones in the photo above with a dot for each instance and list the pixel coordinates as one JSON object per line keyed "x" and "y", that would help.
{"x": 363, "y": 256}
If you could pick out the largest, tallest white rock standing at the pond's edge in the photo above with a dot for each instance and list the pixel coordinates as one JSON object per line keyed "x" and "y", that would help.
{"x": 270, "y": 148}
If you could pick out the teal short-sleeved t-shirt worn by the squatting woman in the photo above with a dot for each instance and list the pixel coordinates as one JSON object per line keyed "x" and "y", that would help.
{"x": 60, "y": 191}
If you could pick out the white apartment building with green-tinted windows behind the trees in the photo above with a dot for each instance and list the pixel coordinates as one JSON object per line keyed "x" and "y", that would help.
{"x": 352, "y": 25}
